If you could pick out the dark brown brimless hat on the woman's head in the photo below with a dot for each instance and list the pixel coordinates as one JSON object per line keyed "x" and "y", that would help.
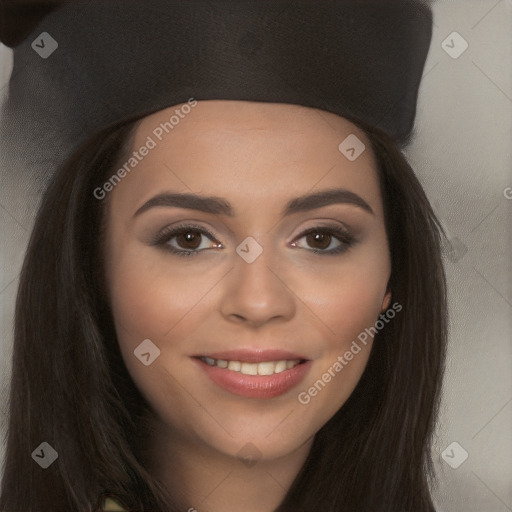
{"x": 90, "y": 64}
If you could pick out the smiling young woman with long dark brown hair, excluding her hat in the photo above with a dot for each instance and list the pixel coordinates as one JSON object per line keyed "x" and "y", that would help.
{"x": 230, "y": 304}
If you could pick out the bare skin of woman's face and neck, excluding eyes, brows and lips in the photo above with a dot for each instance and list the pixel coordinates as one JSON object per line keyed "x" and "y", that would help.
{"x": 288, "y": 298}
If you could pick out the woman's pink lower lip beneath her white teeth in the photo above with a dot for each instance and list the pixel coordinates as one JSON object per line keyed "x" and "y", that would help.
{"x": 255, "y": 386}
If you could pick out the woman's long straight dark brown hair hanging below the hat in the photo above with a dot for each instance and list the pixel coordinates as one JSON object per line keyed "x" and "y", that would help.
{"x": 70, "y": 387}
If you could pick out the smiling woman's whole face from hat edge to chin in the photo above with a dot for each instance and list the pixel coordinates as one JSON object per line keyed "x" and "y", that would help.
{"x": 278, "y": 287}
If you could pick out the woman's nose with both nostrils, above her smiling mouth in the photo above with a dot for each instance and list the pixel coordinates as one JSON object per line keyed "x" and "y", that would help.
{"x": 255, "y": 294}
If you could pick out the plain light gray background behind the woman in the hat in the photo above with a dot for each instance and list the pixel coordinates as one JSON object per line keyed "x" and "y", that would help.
{"x": 462, "y": 155}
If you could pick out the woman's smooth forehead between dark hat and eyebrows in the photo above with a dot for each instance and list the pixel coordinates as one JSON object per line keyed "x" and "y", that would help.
{"x": 241, "y": 149}
